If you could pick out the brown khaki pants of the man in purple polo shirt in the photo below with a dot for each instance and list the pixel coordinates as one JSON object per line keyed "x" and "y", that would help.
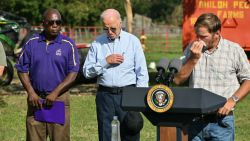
{"x": 38, "y": 131}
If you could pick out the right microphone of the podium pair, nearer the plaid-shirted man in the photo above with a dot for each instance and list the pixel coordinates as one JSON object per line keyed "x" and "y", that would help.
{"x": 174, "y": 67}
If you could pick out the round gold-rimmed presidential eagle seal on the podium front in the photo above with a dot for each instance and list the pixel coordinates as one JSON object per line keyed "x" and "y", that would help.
{"x": 160, "y": 98}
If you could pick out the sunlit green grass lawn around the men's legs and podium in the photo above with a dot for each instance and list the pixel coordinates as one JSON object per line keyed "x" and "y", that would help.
{"x": 83, "y": 119}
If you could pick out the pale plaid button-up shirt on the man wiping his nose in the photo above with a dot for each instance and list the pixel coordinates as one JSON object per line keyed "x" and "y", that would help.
{"x": 222, "y": 70}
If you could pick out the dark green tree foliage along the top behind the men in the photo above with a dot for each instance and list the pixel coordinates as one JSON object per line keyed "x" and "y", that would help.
{"x": 87, "y": 12}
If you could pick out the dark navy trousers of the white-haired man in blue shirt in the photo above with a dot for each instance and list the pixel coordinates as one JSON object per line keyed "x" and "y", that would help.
{"x": 108, "y": 105}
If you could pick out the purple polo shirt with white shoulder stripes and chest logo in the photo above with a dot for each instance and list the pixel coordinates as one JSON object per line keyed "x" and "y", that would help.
{"x": 48, "y": 64}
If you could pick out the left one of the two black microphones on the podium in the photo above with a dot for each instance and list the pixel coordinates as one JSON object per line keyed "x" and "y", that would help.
{"x": 161, "y": 67}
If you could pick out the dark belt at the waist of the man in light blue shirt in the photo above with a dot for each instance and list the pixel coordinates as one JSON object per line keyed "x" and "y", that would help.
{"x": 113, "y": 90}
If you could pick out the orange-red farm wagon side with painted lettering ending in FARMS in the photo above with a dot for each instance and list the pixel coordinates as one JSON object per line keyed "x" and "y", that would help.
{"x": 234, "y": 16}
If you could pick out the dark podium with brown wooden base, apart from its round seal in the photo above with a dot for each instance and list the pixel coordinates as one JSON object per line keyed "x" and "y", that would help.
{"x": 189, "y": 103}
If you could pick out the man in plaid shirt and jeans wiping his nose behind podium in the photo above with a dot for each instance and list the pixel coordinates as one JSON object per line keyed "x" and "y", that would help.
{"x": 220, "y": 66}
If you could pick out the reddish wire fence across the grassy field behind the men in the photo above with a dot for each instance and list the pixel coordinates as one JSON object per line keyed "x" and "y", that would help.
{"x": 159, "y": 38}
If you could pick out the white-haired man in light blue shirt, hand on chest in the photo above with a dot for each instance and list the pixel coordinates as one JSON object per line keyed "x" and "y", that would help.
{"x": 117, "y": 59}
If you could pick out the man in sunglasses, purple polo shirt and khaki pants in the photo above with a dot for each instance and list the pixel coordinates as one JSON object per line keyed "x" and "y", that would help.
{"x": 47, "y": 67}
